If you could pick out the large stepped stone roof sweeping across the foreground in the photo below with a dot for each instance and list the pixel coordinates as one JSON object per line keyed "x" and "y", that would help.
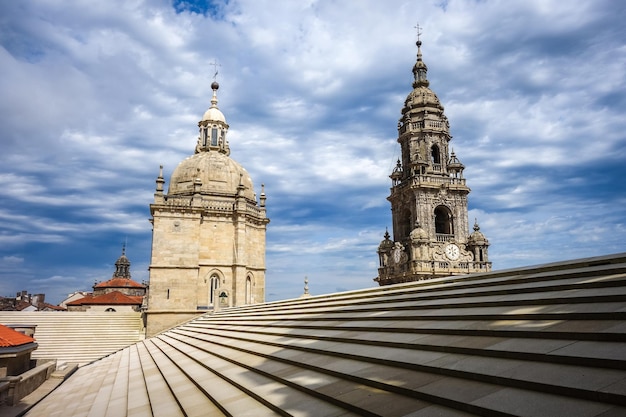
{"x": 541, "y": 341}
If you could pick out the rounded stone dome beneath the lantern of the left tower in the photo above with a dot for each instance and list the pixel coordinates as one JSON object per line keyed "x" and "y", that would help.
{"x": 218, "y": 175}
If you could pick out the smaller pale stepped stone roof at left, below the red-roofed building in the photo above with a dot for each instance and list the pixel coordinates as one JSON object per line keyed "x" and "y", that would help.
{"x": 78, "y": 337}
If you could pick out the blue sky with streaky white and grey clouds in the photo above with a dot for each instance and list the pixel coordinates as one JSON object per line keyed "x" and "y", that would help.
{"x": 95, "y": 96}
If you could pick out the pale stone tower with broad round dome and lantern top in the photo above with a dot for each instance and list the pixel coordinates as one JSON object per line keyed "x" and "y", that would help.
{"x": 208, "y": 236}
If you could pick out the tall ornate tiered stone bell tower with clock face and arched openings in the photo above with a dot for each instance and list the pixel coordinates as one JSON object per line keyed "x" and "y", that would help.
{"x": 428, "y": 197}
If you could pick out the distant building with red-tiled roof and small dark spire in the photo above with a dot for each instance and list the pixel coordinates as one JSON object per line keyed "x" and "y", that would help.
{"x": 120, "y": 293}
